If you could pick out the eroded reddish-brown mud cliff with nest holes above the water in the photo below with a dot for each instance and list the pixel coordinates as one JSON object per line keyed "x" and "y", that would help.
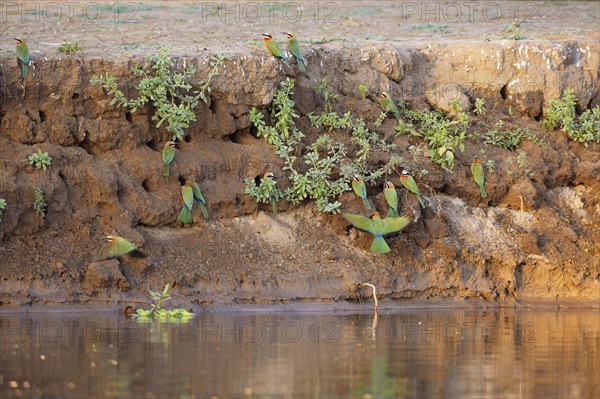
{"x": 536, "y": 236}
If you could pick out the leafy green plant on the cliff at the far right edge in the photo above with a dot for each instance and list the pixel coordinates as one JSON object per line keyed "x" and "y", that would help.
{"x": 561, "y": 115}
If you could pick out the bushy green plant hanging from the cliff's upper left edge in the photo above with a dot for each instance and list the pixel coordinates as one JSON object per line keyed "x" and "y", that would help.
{"x": 166, "y": 88}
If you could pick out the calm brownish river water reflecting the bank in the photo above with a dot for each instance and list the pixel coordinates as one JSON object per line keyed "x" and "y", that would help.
{"x": 499, "y": 353}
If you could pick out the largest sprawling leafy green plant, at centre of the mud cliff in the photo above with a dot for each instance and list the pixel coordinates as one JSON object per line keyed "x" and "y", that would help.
{"x": 324, "y": 167}
